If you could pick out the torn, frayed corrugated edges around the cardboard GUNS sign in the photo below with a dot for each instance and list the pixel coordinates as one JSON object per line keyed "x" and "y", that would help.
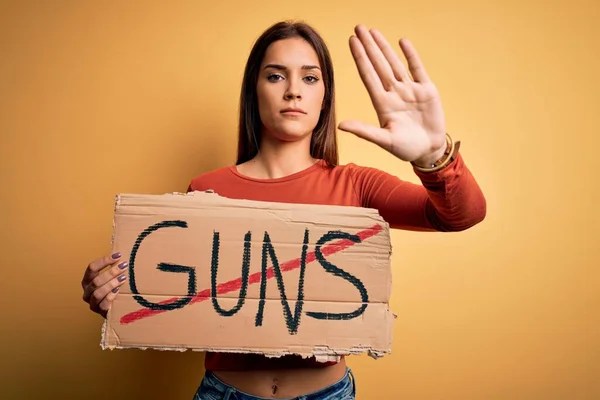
{"x": 323, "y": 353}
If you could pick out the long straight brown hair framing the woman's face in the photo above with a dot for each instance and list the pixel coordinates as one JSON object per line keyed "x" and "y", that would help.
{"x": 323, "y": 141}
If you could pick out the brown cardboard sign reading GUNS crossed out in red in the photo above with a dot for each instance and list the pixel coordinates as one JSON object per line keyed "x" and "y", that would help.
{"x": 216, "y": 274}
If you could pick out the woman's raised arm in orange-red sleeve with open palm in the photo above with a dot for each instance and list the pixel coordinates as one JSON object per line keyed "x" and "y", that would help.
{"x": 412, "y": 127}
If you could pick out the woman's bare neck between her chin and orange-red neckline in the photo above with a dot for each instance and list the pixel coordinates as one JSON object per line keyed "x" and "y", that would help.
{"x": 279, "y": 159}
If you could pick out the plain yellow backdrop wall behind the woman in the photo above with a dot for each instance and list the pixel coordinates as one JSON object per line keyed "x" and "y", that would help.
{"x": 98, "y": 98}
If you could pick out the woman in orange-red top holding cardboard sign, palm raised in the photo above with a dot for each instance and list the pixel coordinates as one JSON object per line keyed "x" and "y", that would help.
{"x": 288, "y": 153}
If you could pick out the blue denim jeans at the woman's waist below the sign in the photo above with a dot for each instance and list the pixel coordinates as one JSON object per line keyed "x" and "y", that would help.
{"x": 212, "y": 388}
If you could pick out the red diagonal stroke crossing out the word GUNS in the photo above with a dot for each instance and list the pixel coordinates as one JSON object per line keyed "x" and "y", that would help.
{"x": 236, "y": 284}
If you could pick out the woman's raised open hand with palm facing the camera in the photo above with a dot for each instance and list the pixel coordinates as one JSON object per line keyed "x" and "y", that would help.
{"x": 409, "y": 109}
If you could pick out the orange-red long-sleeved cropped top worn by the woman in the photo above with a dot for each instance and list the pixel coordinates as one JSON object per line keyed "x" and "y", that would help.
{"x": 447, "y": 200}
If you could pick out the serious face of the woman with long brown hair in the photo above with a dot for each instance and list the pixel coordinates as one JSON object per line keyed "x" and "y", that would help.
{"x": 290, "y": 90}
